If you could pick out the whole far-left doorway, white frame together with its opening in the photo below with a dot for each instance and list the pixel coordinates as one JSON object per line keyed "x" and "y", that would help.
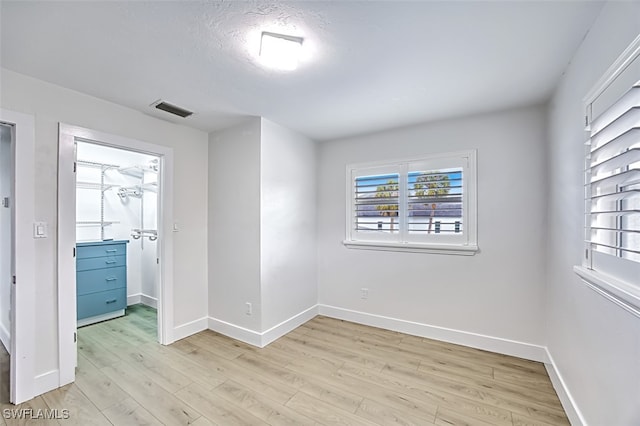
{"x": 17, "y": 274}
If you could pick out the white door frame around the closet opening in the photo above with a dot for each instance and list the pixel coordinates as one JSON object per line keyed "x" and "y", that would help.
{"x": 68, "y": 134}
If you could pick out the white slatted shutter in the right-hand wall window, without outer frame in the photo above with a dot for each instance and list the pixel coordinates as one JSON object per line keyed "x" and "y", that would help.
{"x": 613, "y": 187}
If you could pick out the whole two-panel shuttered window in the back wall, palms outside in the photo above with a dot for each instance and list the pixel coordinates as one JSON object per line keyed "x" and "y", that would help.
{"x": 423, "y": 204}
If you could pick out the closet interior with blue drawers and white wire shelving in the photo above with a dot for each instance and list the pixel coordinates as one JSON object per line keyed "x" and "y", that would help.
{"x": 116, "y": 231}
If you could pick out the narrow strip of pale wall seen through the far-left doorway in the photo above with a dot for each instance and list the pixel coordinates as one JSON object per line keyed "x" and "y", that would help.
{"x": 5, "y": 236}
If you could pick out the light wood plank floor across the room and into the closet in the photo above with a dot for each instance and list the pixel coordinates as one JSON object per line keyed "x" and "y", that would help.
{"x": 327, "y": 372}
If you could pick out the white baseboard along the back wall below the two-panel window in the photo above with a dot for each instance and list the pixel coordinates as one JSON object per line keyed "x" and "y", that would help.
{"x": 465, "y": 338}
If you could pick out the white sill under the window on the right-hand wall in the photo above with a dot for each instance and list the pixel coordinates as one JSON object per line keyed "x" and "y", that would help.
{"x": 621, "y": 293}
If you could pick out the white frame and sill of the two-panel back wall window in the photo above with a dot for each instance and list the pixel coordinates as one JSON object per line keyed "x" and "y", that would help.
{"x": 465, "y": 243}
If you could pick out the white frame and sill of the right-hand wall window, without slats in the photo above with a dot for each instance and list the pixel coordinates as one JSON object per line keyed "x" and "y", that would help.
{"x": 611, "y": 277}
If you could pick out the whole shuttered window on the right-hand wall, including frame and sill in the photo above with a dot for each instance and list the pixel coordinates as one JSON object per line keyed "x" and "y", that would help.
{"x": 611, "y": 263}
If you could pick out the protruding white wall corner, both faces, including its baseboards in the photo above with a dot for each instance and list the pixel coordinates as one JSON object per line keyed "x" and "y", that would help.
{"x": 262, "y": 246}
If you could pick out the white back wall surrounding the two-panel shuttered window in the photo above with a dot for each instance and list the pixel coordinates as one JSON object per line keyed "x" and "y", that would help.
{"x": 499, "y": 292}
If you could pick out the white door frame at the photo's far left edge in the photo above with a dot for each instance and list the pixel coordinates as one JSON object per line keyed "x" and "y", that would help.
{"x": 23, "y": 312}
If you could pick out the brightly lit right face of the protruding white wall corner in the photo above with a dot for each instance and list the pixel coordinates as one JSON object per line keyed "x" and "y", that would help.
{"x": 287, "y": 224}
